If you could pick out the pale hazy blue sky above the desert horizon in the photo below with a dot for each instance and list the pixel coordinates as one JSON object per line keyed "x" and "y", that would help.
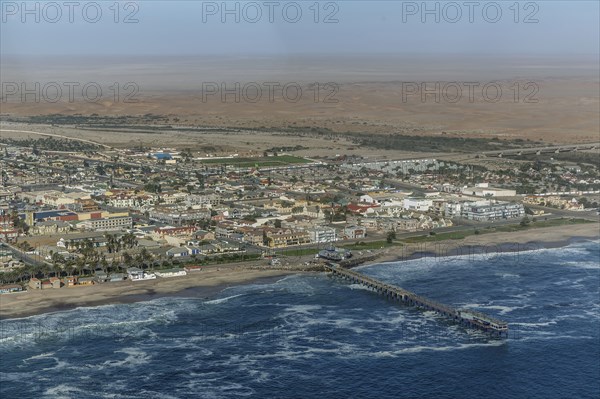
{"x": 389, "y": 27}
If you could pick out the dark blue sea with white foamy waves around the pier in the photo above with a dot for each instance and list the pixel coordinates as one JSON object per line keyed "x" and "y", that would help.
{"x": 313, "y": 336}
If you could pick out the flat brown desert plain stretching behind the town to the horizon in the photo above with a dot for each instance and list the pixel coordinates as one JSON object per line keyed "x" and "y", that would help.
{"x": 556, "y": 102}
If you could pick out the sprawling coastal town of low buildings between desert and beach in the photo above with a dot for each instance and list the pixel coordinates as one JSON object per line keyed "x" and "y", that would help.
{"x": 78, "y": 213}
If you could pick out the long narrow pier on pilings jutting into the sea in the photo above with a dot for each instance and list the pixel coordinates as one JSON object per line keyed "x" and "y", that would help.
{"x": 466, "y": 317}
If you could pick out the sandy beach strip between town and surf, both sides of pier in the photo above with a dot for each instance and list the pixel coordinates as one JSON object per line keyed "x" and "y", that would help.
{"x": 213, "y": 280}
